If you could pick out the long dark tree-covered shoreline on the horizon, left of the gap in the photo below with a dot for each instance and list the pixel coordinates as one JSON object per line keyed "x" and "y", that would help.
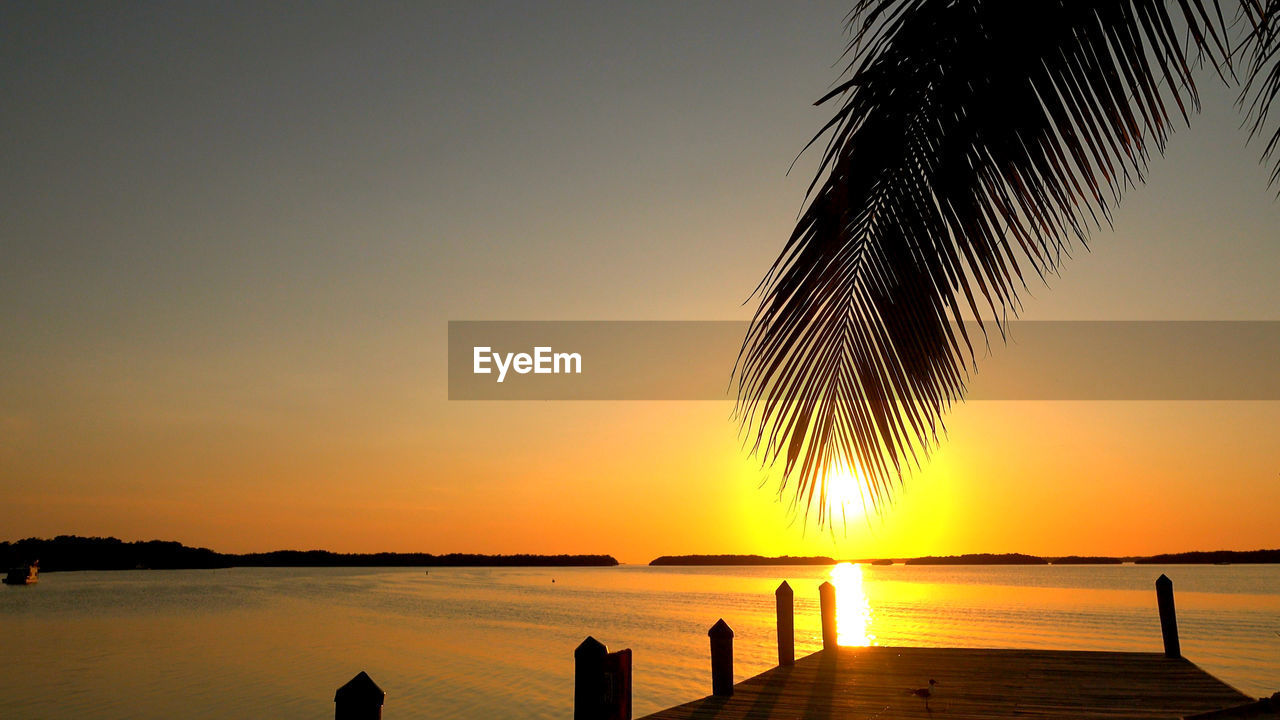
{"x": 75, "y": 553}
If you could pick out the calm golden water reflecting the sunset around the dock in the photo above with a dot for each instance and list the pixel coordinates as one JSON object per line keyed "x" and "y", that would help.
{"x": 500, "y": 642}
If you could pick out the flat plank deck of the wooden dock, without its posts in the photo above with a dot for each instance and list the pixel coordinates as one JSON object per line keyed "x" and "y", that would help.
{"x": 865, "y": 683}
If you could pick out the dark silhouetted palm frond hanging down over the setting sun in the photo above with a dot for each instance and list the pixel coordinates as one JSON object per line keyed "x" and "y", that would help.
{"x": 976, "y": 142}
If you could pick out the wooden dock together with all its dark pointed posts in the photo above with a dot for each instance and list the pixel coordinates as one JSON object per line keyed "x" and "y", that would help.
{"x": 894, "y": 683}
